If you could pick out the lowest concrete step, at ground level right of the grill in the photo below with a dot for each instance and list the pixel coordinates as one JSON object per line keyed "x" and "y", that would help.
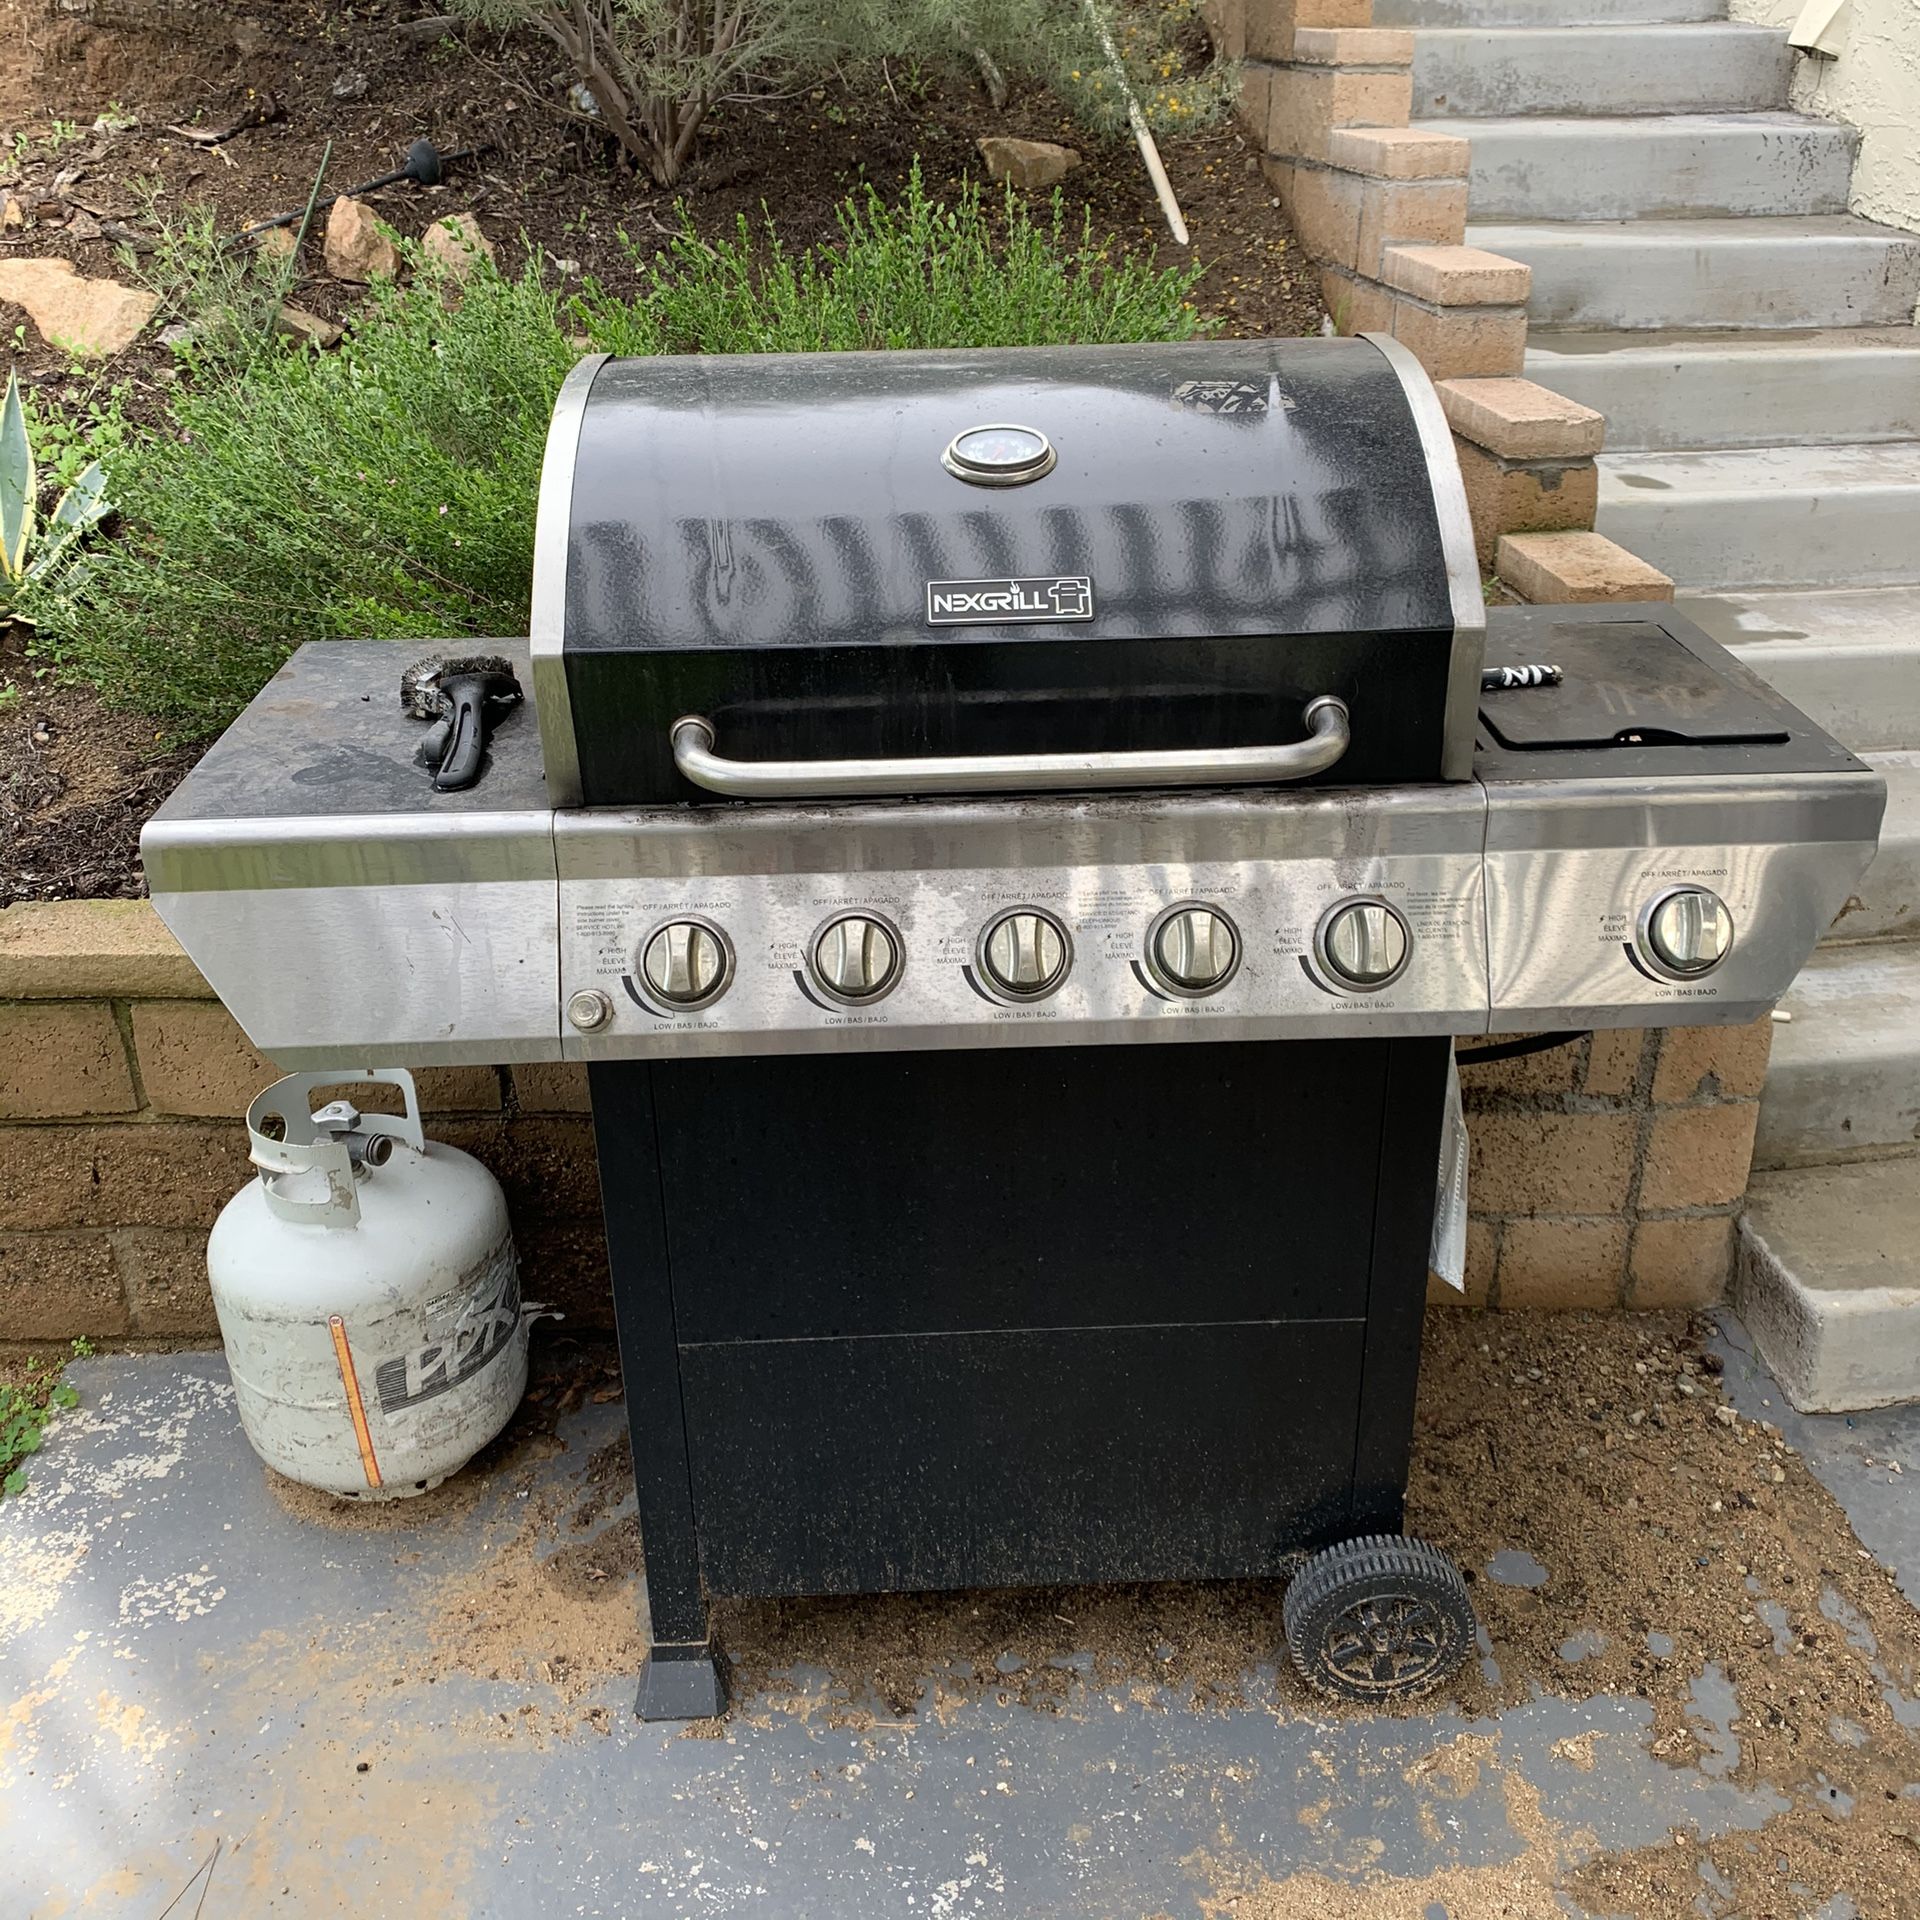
{"x": 1829, "y": 1284}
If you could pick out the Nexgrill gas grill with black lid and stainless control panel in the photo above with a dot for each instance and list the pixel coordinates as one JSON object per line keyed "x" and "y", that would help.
{"x": 1013, "y": 838}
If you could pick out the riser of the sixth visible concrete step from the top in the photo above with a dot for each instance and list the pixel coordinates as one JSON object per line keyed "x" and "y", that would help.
{"x": 1858, "y": 537}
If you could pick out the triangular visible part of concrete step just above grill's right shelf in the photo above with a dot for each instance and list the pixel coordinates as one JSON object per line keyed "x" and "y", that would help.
{"x": 1850, "y": 660}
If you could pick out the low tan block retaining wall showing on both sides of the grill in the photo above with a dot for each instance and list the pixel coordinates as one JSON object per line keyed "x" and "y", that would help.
{"x": 1602, "y": 1174}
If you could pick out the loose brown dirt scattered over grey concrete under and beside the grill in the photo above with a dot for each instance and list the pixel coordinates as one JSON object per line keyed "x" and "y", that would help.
{"x": 1675, "y": 1537}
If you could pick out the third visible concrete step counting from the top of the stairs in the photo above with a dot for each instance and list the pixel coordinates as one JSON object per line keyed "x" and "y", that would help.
{"x": 1679, "y": 164}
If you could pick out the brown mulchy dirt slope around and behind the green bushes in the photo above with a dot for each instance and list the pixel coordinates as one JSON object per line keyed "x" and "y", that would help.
{"x": 76, "y": 782}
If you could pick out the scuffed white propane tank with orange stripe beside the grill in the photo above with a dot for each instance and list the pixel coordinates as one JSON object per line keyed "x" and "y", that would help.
{"x": 368, "y": 1293}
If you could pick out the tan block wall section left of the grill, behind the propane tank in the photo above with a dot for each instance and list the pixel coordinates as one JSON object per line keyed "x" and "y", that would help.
{"x": 122, "y": 1090}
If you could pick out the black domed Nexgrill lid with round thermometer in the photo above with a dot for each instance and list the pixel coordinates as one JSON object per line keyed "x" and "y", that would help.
{"x": 992, "y": 552}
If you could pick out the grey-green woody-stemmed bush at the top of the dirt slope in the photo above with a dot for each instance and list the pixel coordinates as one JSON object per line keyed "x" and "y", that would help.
{"x": 650, "y": 72}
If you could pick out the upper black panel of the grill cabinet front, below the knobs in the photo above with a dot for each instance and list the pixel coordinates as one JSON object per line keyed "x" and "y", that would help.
{"x": 1026, "y": 1189}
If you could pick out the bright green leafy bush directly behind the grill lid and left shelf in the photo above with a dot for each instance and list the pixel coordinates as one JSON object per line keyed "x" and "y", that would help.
{"x": 387, "y": 491}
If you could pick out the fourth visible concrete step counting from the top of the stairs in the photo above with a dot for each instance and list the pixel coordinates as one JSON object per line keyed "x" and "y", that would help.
{"x": 1827, "y": 270}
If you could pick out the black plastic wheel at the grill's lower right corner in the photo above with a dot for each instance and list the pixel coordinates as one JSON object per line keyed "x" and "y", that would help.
{"x": 1378, "y": 1620}
